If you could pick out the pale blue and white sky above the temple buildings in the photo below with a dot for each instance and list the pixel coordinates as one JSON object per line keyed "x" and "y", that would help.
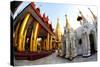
{"x": 57, "y": 10}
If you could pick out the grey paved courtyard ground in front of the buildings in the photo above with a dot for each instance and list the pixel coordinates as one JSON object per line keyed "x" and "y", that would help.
{"x": 53, "y": 59}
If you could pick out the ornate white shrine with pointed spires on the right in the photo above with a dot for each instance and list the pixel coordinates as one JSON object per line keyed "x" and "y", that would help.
{"x": 82, "y": 41}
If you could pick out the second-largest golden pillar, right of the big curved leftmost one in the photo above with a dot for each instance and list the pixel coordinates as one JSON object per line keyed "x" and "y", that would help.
{"x": 33, "y": 41}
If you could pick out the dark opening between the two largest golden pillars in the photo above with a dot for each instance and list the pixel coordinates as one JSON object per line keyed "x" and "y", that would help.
{"x": 28, "y": 37}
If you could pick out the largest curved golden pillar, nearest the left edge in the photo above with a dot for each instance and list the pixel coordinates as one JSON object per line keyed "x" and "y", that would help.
{"x": 22, "y": 33}
